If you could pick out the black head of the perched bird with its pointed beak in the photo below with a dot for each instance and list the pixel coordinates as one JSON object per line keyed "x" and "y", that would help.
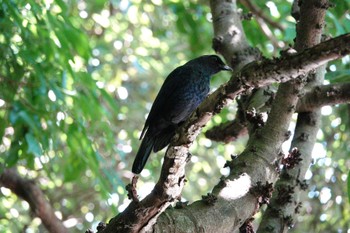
{"x": 211, "y": 63}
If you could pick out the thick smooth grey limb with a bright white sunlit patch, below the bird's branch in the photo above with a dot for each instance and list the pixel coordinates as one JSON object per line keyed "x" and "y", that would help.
{"x": 254, "y": 165}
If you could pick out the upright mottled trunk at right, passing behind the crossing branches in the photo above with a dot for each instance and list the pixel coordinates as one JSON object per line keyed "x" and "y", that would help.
{"x": 284, "y": 205}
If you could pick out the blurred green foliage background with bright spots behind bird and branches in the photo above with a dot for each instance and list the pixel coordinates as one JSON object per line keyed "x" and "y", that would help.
{"x": 77, "y": 79}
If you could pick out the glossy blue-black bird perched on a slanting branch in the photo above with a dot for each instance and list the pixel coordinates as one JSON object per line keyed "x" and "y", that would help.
{"x": 181, "y": 93}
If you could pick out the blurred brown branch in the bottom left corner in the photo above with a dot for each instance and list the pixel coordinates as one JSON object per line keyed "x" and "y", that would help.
{"x": 30, "y": 192}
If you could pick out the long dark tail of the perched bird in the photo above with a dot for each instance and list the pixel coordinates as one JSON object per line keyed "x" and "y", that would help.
{"x": 143, "y": 153}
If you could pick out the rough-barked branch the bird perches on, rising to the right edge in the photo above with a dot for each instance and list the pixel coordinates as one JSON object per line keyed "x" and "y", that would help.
{"x": 258, "y": 74}
